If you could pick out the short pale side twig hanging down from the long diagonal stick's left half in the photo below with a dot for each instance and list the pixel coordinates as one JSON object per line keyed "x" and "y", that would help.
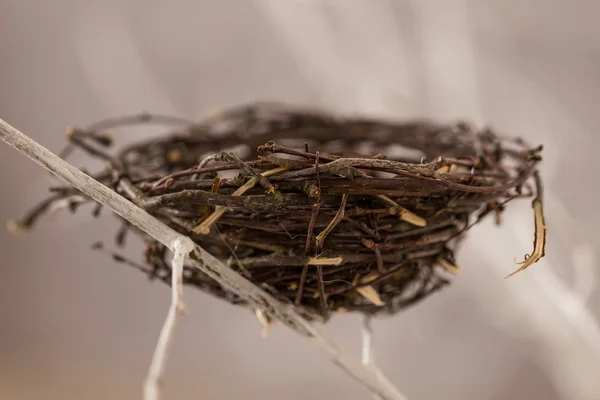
{"x": 157, "y": 367}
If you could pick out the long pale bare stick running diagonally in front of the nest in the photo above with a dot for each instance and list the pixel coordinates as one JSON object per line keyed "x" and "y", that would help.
{"x": 203, "y": 260}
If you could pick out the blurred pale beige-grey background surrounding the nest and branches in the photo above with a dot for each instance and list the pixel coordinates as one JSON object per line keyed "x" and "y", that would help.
{"x": 74, "y": 325}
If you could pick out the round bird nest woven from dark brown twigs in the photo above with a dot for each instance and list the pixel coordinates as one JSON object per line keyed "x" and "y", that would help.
{"x": 332, "y": 214}
